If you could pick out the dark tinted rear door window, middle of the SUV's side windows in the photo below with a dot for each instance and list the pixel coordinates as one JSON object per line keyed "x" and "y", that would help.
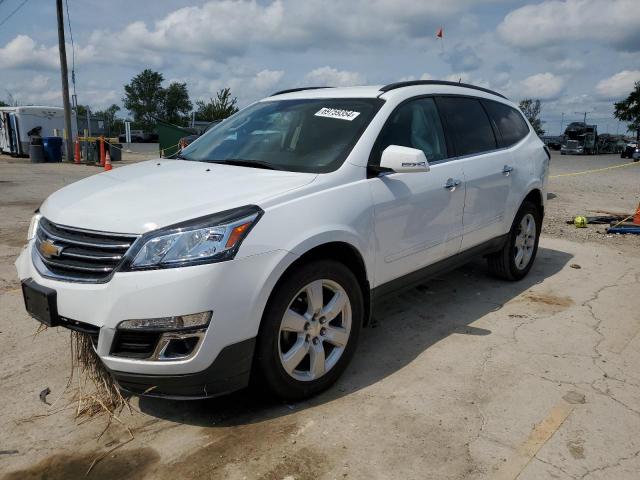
{"x": 469, "y": 125}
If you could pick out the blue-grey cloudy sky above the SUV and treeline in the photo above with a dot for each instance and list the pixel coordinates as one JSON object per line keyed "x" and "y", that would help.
{"x": 575, "y": 55}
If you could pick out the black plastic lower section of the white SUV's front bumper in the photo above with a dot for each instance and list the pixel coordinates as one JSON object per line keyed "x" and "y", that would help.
{"x": 229, "y": 372}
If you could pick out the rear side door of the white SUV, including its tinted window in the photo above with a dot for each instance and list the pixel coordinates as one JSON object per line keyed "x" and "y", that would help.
{"x": 487, "y": 170}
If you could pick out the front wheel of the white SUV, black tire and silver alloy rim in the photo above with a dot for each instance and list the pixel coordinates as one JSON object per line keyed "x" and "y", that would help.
{"x": 278, "y": 345}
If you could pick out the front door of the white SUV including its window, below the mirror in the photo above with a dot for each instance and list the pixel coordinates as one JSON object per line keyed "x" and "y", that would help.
{"x": 418, "y": 216}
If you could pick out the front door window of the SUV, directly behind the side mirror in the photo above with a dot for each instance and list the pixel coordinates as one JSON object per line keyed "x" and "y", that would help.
{"x": 416, "y": 124}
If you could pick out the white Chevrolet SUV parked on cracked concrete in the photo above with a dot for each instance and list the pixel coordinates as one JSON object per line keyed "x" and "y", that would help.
{"x": 259, "y": 251}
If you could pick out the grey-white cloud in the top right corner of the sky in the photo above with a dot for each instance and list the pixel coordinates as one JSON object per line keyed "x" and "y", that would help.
{"x": 552, "y": 22}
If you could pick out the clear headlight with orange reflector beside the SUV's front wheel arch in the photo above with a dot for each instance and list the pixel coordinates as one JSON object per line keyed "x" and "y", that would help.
{"x": 209, "y": 239}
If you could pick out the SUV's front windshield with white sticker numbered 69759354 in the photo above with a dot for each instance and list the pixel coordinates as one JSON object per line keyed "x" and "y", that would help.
{"x": 312, "y": 135}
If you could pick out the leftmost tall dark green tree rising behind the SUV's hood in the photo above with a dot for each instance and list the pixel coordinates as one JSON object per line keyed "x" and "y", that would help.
{"x": 144, "y": 97}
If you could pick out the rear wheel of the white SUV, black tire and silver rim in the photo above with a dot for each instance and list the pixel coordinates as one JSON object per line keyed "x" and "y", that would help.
{"x": 504, "y": 264}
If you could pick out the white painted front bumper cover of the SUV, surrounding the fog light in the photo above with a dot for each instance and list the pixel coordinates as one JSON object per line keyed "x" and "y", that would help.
{"x": 236, "y": 291}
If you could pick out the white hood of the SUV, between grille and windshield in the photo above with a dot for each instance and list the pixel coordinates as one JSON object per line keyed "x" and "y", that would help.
{"x": 149, "y": 195}
